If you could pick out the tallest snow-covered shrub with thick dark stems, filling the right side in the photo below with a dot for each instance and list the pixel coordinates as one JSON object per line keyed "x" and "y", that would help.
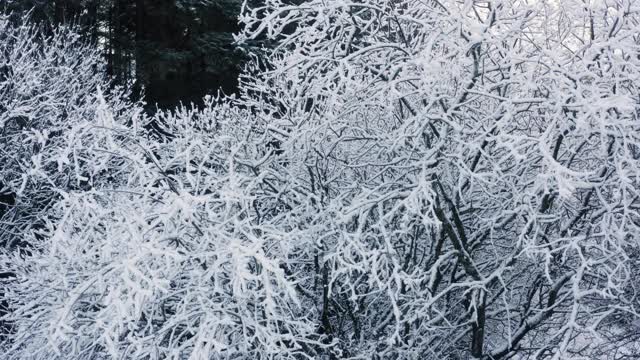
{"x": 473, "y": 169}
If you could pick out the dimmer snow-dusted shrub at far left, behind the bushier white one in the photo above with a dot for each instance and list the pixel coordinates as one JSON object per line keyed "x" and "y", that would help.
{"x": 47, "y": 86}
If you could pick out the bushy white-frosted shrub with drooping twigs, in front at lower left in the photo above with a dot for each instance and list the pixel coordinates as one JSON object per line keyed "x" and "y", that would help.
{"x": 169, "y": 261}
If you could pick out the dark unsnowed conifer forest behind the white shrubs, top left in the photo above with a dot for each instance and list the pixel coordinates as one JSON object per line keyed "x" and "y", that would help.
{"x": 174, "y": 51}
